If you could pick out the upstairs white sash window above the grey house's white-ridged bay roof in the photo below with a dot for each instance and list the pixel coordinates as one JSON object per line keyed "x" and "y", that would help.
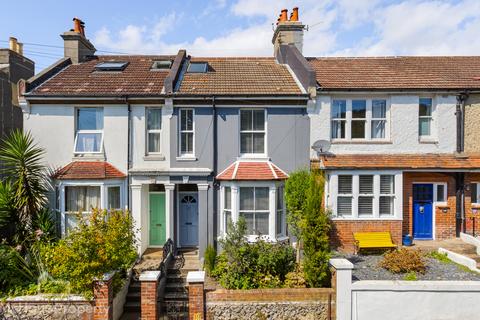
{"x": 252, "y": 131}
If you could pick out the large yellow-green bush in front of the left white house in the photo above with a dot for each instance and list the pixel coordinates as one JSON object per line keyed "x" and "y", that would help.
{"x": 97, "y": 246}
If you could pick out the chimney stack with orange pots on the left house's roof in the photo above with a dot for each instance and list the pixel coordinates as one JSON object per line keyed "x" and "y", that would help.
{"x": 76, "y": 46}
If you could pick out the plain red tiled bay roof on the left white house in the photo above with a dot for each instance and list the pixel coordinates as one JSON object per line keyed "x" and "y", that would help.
{"x": 89, "y": 170}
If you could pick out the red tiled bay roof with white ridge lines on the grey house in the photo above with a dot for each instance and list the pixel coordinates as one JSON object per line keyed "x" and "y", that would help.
{"x": 252, "y": 170}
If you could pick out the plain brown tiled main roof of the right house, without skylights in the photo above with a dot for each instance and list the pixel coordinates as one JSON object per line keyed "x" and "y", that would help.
{"x": 453, "y": 72}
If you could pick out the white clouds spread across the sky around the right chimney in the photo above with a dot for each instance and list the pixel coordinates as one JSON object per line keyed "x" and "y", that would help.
{"x": 409, "y": 27}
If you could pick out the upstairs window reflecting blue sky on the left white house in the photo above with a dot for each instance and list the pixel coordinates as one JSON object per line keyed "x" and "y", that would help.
{"x": 89, "y": 130}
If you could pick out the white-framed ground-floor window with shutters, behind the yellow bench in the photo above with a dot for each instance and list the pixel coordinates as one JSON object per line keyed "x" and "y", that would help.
{"x": 364, "y": 195}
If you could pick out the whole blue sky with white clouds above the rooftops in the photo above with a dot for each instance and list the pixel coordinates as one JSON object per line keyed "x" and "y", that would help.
{"x": 244, "y": 27}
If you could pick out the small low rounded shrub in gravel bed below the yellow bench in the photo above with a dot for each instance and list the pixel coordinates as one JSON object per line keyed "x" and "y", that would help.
{"x": 403, "y": 260}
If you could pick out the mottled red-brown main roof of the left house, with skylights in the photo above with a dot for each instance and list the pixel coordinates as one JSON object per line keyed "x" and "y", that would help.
{"x": 83, "y": 80}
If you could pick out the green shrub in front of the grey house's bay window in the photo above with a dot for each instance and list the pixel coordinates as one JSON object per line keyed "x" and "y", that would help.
{"x": 244, "y": 265}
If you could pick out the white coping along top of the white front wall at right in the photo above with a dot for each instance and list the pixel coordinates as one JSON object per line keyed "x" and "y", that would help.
{"x": 401, "y": 285}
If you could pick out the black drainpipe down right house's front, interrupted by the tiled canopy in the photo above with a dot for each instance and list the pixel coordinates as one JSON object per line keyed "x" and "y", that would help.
{"x": 460, "y": 176}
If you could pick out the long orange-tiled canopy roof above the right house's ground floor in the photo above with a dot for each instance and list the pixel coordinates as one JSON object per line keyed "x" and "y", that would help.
{"x": 400, "y": 161}
